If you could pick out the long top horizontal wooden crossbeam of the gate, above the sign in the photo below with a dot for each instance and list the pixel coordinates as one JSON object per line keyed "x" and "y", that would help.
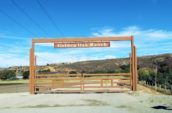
{"x": 79, "y": 39}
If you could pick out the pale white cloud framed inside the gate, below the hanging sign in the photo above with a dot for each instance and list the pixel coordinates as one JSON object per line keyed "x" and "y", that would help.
{"x": 69, "y": 56}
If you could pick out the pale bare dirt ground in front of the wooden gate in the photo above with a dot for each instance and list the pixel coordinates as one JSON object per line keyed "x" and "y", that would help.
{"x": 141, "y": 101}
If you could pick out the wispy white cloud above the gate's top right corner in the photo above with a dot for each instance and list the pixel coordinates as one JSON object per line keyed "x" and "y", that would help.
{"x": 148, "y": 34}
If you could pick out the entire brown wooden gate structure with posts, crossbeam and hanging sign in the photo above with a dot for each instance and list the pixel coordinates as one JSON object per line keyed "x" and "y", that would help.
{"x": 83, "y": 82}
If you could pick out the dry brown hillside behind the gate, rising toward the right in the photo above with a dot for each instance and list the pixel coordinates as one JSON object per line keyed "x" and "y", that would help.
{"x": 107, "y": 65}
